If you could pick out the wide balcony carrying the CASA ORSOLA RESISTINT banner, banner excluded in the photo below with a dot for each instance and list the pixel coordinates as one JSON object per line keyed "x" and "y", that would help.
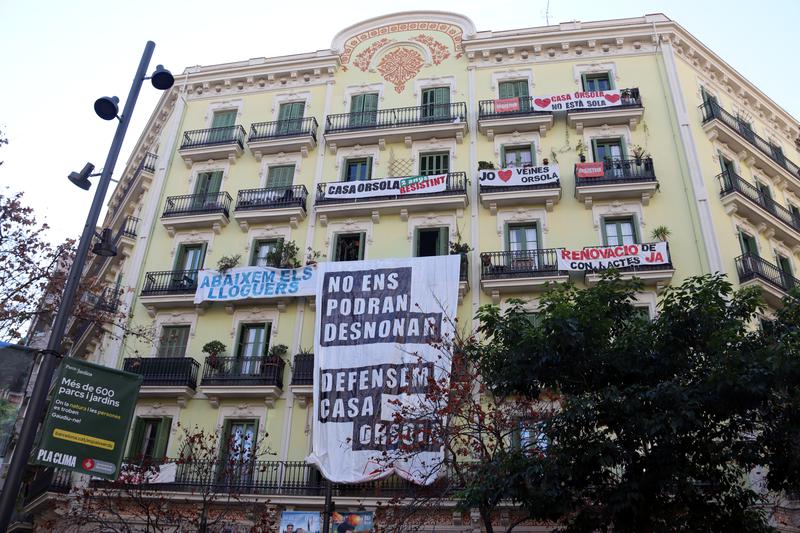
{"x": 454, "y": 197}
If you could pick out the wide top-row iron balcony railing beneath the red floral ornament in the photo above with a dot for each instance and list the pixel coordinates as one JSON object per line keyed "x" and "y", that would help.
{"x": 397, "y": 117}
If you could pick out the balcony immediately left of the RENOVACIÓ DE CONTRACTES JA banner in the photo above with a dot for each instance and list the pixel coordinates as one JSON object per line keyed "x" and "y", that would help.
{"x": 519, "y": 271}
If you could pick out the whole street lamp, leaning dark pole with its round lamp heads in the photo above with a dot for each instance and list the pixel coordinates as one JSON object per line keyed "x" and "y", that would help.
{"x": 106, "y": 108}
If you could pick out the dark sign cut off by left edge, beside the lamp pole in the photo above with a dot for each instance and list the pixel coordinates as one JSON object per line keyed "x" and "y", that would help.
{"x": 16, "y": 362}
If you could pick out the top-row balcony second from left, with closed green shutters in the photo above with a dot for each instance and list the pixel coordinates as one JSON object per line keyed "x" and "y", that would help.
{"x": 294, "y": 135}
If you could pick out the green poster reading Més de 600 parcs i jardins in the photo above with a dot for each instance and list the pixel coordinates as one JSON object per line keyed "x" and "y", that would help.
{"x": 88, "y": 419}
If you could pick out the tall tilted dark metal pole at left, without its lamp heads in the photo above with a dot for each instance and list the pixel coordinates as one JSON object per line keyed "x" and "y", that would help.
{"x": 51, "y": 355}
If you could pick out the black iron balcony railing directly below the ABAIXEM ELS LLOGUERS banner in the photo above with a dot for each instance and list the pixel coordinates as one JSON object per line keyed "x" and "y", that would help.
{"x": 243, "y": 371}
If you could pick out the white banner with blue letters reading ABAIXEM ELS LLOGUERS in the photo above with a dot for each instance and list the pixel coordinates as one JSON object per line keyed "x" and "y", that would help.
{"x": 255, "y": 282}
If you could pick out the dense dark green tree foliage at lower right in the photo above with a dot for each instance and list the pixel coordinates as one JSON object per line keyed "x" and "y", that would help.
{"x": 660, "y": 421}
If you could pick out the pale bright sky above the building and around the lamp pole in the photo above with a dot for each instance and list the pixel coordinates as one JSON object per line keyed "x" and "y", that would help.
{"x": 59, "y": 56}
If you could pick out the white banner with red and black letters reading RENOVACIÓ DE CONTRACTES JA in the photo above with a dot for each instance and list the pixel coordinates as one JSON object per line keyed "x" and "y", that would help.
{"x": 623, "y": 256}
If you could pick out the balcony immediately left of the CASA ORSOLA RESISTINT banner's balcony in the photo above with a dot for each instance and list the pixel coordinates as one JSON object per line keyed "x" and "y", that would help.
{"x": 269, "y": 206}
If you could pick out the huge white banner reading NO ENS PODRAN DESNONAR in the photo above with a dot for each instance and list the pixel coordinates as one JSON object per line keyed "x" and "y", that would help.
{"x": 375, "y": 322}
